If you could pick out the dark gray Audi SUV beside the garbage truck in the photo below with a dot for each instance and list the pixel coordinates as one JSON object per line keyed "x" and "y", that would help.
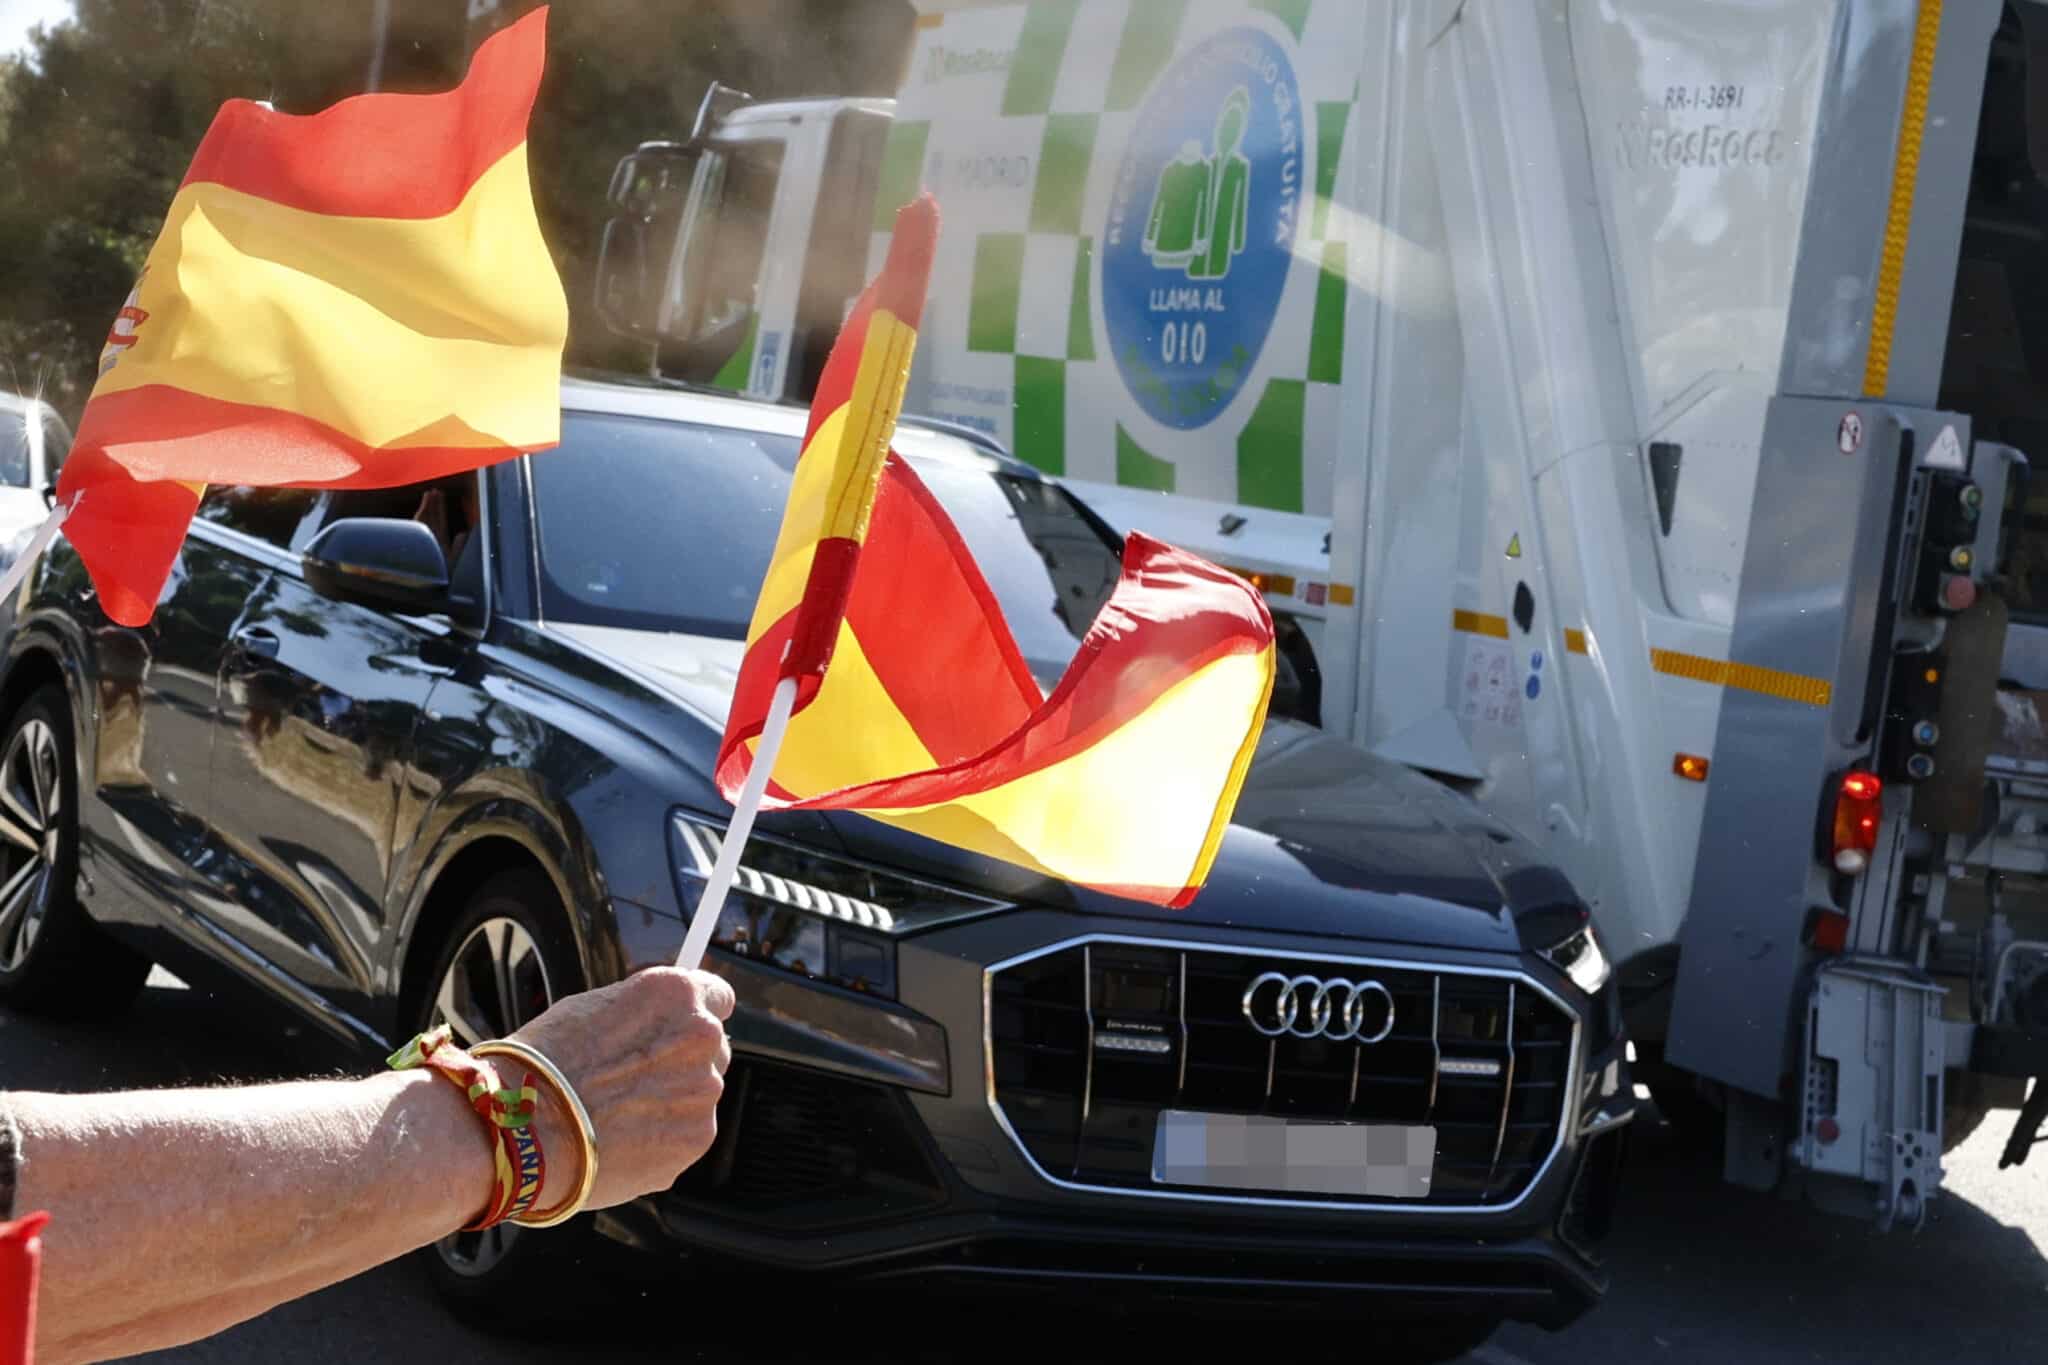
{"x": 390, "y": 758}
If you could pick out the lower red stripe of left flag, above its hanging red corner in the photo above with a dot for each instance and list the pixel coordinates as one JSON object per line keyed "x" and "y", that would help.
{"x": 165, "y": 433}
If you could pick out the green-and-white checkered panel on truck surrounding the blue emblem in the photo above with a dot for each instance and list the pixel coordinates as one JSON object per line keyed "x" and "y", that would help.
{"x": 1017, "y": 120}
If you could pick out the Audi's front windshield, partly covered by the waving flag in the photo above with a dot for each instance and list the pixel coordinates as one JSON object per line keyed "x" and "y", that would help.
{"x": 669, "y": 527}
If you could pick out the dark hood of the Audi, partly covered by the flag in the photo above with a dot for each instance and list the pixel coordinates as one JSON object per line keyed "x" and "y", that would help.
{"x": 1326, "y": 838}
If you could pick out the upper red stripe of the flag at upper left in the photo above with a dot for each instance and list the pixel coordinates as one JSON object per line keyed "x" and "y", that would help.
{"x": 386, "y": 157}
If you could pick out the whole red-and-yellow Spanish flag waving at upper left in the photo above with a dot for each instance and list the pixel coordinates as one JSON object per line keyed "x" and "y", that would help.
{"x": 357, "y": 298}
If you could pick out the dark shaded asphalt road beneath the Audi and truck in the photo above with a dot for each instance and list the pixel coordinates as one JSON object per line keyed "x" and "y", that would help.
{"x": 1703, "y": 1274}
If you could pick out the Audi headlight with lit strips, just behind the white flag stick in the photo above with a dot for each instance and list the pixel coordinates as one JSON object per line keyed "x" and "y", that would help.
{"x": 810, "y": 912}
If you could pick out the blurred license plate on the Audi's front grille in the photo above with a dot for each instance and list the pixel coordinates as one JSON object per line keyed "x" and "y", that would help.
{"x": 1299, "y": 1157}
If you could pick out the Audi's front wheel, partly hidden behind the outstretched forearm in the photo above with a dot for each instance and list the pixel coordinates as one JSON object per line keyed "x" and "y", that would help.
{"x": 509, "y": 1278}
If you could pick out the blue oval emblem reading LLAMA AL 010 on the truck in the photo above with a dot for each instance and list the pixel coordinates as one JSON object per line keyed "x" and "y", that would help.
{"x": 1201, "y": 230}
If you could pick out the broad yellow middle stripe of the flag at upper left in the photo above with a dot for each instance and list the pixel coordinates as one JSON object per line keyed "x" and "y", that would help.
{"x": 370, "y": 326}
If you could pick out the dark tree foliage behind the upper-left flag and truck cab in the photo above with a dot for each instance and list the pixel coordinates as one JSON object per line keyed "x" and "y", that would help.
{"x": 101, "y": 116}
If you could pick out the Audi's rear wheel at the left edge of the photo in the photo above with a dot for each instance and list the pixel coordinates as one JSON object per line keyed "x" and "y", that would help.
{"x": 54, "y": 961}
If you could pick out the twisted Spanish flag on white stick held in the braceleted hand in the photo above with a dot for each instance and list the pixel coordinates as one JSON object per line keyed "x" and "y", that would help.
{"x": 914, "y": 703}
